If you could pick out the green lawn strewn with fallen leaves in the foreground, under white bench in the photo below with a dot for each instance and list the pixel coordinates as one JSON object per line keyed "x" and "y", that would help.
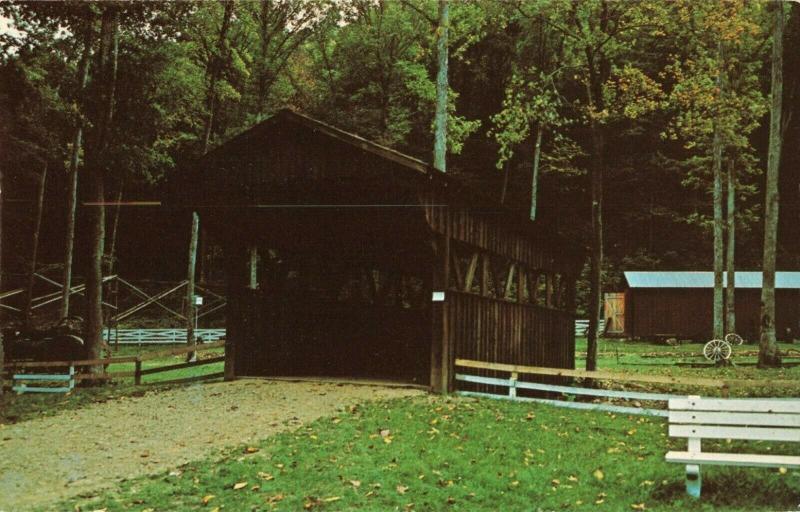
{"x": 455, "y": 454}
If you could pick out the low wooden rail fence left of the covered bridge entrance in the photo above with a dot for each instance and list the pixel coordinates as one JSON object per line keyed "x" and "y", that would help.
{"x": 138, "y": 371}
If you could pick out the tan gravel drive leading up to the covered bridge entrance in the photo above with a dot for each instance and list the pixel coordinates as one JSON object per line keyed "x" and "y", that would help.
{"x": 49, "y": 459}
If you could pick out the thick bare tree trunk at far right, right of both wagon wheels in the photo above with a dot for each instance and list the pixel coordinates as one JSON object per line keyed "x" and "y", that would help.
{"x": 768, "y": 348}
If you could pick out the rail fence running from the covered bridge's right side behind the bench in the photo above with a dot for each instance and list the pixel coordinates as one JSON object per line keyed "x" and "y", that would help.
{"x": 514, "y": 384}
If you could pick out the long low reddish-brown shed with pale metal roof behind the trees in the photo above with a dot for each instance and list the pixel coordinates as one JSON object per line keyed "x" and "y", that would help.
{"x": 680, "y": 304}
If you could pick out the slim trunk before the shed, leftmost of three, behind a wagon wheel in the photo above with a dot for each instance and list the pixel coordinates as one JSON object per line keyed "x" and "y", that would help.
{"x": 719, "y": 241}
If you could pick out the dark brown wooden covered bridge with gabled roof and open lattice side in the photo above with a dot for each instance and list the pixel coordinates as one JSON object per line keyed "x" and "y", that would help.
{"x": 346, "y": 258}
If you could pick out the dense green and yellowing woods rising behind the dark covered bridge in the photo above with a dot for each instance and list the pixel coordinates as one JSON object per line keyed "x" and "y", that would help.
{"x": 642, "y": 130}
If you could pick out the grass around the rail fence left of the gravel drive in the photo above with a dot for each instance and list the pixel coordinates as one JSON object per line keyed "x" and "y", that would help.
{"x": 16, "y": 408}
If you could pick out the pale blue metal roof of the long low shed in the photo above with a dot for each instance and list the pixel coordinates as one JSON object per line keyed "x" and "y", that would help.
{"x": 658, "y": 279}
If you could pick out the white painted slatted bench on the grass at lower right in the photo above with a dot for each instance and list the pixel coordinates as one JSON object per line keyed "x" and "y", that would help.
{"x": 698, "y": 418}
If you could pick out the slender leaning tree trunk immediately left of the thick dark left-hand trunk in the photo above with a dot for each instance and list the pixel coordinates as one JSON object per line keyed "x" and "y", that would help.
{"x": 72, "y": 176}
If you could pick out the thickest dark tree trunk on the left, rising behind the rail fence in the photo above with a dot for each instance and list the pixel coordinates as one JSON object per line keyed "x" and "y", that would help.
{"x": 106, "y": 74}
